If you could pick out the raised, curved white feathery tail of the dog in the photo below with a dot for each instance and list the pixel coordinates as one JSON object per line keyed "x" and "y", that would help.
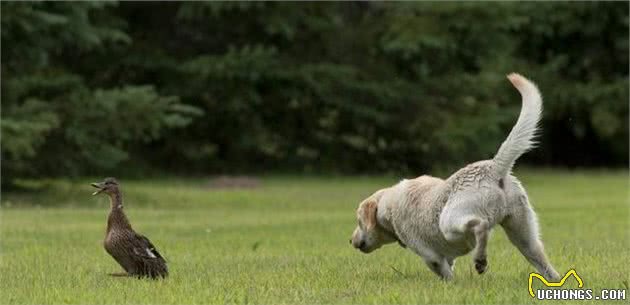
{"x": 521, "y": 138}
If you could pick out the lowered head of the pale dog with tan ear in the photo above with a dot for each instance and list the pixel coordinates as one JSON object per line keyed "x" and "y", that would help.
{"x": 370, "y": 234}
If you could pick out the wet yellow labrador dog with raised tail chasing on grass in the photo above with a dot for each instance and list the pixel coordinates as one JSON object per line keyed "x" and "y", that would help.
{"x": 441, "y": 220}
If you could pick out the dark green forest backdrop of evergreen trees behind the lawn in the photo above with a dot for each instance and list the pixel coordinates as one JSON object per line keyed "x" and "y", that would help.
{"x": 354, "y": 87}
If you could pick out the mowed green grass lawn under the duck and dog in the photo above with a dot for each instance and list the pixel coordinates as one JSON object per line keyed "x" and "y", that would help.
{"x": 286, "y": 242}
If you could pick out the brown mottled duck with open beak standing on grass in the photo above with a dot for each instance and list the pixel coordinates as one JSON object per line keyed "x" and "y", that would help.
{"x": 134, "y": 252}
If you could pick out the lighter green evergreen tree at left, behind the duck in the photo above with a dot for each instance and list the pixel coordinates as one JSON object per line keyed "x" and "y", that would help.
{"x": 54, "y": 120}
